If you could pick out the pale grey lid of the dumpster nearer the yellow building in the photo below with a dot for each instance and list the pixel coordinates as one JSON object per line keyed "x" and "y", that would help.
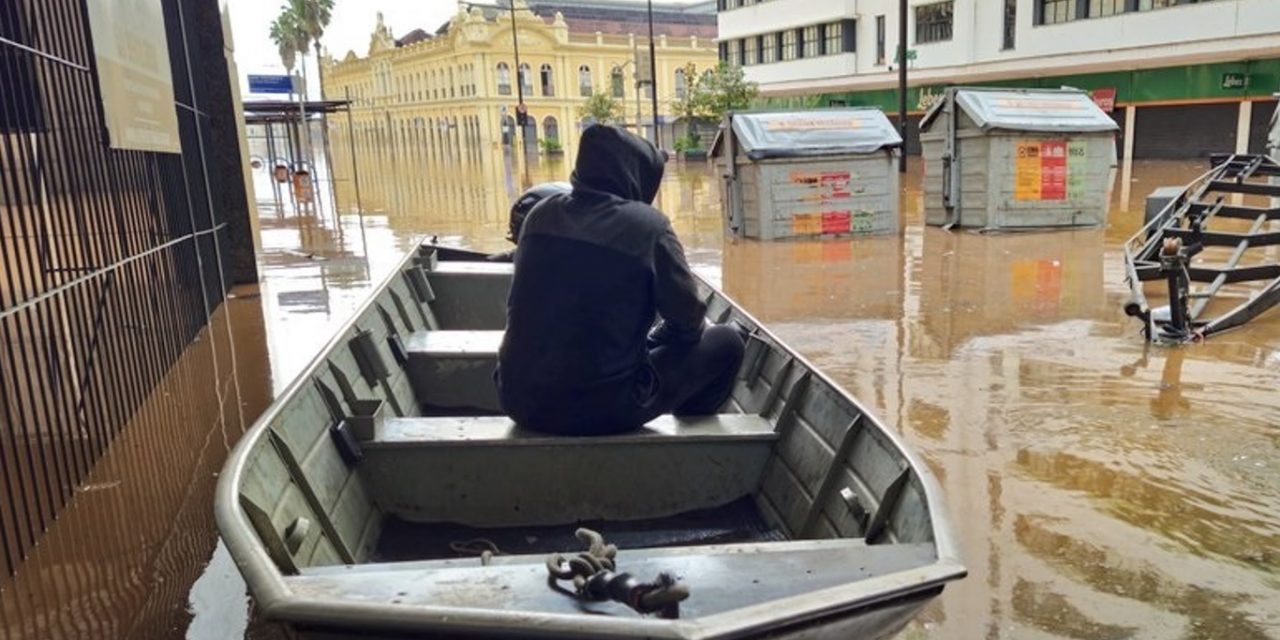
{"x": 821, "y": 132}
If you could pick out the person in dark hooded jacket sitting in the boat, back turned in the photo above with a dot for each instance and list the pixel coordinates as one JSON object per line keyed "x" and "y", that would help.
{"x": 593, "y": 271}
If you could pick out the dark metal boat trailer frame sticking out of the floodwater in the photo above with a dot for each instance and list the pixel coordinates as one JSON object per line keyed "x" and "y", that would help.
{"x": 1165, "y": 248}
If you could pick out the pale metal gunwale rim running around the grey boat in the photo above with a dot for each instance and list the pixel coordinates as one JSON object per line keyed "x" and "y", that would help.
{"x": 278, "y": 602}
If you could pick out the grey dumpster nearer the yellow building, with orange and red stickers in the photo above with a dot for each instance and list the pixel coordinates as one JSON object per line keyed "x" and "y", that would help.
{"x": 796, "y": 175}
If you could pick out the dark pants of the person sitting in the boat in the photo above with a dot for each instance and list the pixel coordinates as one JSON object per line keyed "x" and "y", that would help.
{"x": 685, "y": 380}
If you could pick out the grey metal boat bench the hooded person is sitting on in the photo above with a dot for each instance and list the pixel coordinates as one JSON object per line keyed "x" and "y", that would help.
{"x": 486, "y": 472}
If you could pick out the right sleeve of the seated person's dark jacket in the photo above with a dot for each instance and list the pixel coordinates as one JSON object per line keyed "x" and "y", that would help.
{"x": 676, "y": 295}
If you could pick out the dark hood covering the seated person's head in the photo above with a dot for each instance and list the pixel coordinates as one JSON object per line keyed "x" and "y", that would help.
{"x": 612, "y": 161}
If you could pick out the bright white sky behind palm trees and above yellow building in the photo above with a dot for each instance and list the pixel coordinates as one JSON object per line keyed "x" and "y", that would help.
{"x": 350, "y": 30}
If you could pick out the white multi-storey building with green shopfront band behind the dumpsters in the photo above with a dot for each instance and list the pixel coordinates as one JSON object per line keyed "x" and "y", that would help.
{"x": 1155, "y": 65}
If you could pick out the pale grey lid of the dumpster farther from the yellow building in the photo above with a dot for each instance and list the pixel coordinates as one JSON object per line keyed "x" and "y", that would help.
{"x": 1043, "y": 111}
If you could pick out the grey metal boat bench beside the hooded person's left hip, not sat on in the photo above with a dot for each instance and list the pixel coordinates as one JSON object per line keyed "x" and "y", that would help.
{"x": 455, "y": 369}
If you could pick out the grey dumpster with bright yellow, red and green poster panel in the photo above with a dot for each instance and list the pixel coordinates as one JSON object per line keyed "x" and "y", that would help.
{"x": 1002, "y": 159}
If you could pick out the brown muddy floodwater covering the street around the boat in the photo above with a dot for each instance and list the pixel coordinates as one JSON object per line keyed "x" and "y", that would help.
{"x": 1101, "y": 488}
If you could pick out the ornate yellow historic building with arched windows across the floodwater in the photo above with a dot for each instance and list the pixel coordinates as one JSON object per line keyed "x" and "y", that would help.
{"x": 456, "y": 90}
